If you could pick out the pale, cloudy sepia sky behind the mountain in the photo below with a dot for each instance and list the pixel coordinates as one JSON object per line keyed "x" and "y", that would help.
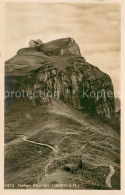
{"x": 95, "y": 27}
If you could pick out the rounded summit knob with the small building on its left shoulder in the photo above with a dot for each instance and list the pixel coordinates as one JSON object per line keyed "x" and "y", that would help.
{"x": 59, "y": 47}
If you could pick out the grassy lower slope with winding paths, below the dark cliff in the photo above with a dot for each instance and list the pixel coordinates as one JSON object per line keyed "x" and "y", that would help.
{"x": 86, "y": 148}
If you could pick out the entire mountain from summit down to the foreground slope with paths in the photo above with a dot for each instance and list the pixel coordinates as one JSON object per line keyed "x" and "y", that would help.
{"x": 62, "y": 138}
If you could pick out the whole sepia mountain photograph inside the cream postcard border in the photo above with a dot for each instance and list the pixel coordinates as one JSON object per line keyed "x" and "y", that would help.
{"x": 62, "y": 92}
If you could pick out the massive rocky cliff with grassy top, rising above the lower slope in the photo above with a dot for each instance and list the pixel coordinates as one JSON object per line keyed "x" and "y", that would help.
{"x": 58, "y": 70}
